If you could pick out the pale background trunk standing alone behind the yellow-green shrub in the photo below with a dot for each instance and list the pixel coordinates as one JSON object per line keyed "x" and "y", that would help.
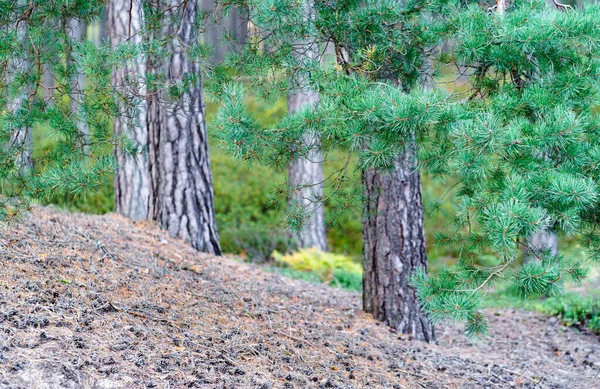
{"x": 306, "y": 173}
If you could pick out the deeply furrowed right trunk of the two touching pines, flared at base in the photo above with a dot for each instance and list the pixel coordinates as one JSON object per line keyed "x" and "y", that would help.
{"x": 182, "y": 180}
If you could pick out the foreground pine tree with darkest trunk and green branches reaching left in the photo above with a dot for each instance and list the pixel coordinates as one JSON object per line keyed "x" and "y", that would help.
{"x": 392, "y": 205}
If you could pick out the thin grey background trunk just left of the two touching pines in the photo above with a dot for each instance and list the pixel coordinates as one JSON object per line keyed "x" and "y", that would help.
{"x": 77, "y": 31}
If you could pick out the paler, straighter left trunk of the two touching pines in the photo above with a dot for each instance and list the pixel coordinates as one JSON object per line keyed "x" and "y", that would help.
{"x": 132, "y": 178}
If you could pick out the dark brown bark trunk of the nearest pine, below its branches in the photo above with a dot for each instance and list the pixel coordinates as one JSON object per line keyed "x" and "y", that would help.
{"x": 394, "y": 246}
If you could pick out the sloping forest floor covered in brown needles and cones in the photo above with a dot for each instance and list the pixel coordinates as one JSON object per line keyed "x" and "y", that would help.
{"x": 98, "y": 302}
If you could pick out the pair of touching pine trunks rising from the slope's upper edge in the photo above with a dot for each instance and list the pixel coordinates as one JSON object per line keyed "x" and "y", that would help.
{"x": 163, "y": 114}
